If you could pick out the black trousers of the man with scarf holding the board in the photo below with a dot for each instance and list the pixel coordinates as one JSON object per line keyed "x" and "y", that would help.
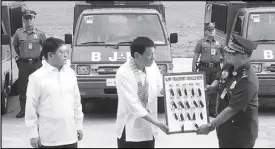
{"x": 122, "y": 143}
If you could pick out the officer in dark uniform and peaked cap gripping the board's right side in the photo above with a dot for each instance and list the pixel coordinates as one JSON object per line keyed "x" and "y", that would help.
{"x": 238, "y": 85}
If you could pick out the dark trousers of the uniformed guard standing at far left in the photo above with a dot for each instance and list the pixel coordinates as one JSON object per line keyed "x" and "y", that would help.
{"x": 25, "y": 69}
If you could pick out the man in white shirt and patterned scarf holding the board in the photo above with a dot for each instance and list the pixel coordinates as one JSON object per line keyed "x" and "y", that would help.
{"x": 138, "y": 82}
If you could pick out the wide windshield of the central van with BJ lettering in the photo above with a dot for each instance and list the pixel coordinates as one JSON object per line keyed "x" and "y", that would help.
{"x": 115, "y": 28}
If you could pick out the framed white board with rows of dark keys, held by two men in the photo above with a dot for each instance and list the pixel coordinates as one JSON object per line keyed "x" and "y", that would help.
{"x": 185, "y": 101}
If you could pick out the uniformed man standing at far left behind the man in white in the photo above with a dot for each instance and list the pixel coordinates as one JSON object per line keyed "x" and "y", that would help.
{"x": 27, "y": 43}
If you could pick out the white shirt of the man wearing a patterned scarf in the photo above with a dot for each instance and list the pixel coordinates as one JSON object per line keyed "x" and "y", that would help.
{"x": 130, "y": 110}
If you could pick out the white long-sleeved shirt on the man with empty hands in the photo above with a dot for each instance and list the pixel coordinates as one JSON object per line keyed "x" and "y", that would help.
{"x": 53, "y": 107}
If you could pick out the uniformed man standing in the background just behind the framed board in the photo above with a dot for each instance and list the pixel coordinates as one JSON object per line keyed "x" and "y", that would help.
{"x": 210, "y": 52}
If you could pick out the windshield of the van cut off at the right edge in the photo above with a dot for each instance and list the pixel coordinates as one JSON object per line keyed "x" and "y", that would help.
{"x": 261, "y": 27}
